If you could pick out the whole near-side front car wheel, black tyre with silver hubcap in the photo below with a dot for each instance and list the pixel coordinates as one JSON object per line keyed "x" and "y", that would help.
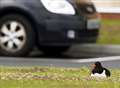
{"x": 16, "y": 36}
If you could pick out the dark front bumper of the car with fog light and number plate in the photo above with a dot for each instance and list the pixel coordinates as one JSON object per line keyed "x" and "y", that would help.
{"x": 69, "y": 31}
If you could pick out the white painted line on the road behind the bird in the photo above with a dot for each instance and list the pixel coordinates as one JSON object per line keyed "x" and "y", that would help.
{"x": 112, "y": 58}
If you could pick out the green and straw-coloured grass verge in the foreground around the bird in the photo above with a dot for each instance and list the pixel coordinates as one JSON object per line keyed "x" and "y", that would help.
{"x": 51, "y": 77}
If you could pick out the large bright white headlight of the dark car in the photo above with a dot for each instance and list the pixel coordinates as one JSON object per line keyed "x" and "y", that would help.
{"x": 59, "y": 6}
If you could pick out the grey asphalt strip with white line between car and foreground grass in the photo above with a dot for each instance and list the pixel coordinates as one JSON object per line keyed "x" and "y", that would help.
{"x": 59, "y": 61}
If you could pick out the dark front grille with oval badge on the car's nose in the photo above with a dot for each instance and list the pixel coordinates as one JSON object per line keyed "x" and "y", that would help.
{"x": 86, "y": 8}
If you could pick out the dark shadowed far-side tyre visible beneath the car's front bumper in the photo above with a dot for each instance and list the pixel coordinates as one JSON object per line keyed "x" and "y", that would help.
{"x": 54, "y": 50}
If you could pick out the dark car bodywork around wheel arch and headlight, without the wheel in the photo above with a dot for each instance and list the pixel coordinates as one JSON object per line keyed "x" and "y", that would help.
{"x": 51, "y": 28}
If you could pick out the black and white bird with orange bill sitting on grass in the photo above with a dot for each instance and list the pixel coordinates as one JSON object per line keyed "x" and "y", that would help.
{"x": 99, "y": 71}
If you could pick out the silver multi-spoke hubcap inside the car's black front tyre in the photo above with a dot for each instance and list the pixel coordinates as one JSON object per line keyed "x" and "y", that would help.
{"x": 12, "y": 36}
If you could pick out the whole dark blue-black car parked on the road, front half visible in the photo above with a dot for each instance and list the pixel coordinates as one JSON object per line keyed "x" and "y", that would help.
{"x": 51, "y": 25}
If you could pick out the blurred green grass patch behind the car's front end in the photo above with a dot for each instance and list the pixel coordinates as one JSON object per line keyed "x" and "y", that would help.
{"x": 109, "y": 32}
